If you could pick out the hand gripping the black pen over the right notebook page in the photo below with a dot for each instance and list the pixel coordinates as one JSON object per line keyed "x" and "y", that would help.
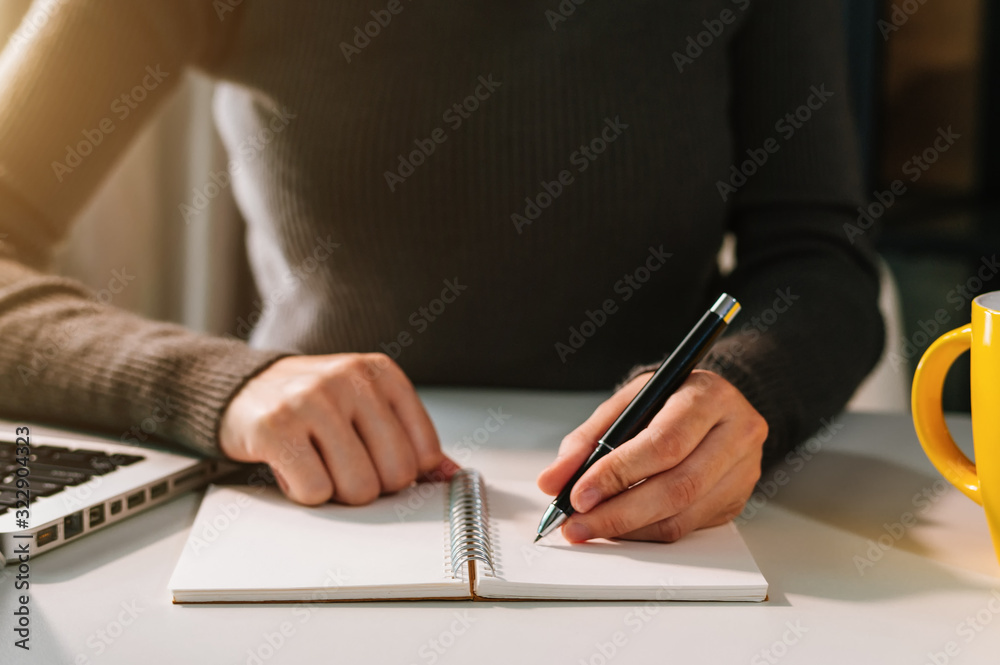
{"x": 698, "y": 461}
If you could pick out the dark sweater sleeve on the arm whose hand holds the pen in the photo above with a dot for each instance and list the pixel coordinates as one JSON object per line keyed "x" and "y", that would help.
{"x": 806, "y": 274}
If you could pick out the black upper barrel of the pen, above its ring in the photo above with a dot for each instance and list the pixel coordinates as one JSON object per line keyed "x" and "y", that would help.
{"x": 670, "y": 375}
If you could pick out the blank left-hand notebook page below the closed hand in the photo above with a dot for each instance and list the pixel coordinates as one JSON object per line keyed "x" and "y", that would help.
{"x": 253, "y": 543}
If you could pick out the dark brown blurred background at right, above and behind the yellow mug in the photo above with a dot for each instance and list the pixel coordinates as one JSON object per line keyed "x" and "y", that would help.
{"x": 929, "y": 66}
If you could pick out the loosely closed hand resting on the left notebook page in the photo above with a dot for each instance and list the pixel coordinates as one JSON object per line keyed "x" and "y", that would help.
{"x": 346, "y": 427}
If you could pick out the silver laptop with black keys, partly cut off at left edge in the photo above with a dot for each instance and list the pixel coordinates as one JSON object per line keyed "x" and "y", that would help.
{"x": 70, "y": 484}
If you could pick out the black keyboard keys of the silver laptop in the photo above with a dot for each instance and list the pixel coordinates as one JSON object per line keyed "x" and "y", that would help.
{"x": 54, "y": 468}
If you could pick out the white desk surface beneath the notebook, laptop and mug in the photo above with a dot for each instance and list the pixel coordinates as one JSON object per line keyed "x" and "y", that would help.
{"x": 104, "y": 598}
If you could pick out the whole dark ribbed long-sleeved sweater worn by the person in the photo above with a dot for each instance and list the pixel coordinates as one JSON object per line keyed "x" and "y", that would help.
{"x": 528, "y": 193}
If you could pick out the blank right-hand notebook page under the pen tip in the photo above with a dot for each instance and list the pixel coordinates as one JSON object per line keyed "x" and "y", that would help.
{"x": 709, "y": 564}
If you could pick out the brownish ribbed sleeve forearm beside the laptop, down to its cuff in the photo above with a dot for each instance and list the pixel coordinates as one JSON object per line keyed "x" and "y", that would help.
{"x": 68, "y": 359}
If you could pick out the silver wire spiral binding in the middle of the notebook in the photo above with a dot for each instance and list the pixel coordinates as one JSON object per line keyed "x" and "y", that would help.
{"x": 469, "y": 522}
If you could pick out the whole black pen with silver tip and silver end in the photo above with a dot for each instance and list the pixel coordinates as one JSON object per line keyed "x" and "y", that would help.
{"x": 668, "y": 377}
